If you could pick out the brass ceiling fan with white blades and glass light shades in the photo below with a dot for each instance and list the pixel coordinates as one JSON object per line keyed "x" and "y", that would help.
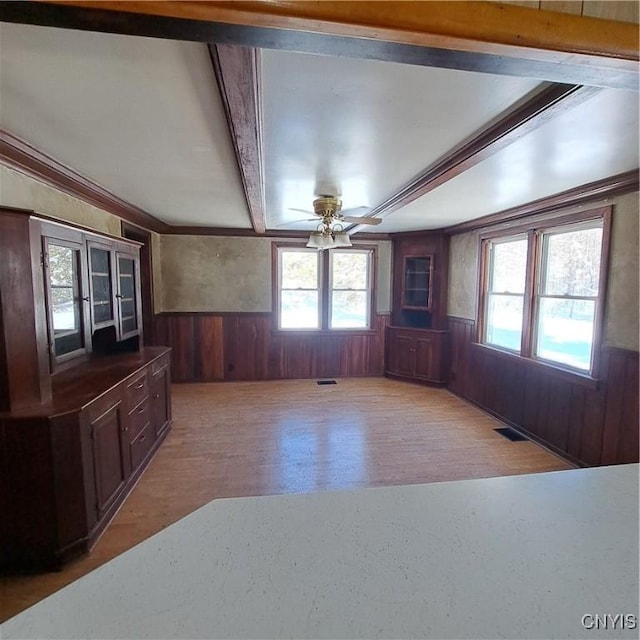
{"x": 330, "y": 232}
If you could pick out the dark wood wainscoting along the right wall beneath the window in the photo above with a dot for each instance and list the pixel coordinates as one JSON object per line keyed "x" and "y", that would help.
{"x": 592, "y": 423}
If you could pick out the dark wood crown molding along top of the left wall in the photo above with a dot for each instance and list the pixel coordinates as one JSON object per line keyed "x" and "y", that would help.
{"x": 20, "y": 155}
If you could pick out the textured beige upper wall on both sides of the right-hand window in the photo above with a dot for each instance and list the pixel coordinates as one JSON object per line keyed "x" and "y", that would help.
{"x": 621, "y": 327}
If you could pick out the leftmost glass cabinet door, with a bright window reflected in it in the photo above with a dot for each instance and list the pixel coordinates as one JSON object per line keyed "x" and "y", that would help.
{"x": 63, "y": 264}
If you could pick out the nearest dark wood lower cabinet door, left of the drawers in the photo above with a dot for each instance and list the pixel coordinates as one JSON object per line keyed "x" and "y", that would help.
{"x": 109, "y": 463}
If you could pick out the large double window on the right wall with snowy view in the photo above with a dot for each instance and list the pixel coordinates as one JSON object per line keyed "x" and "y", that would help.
{"x": 542, "y": 292}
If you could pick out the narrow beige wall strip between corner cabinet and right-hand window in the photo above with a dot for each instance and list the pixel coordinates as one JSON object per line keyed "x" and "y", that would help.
{"x": 463, "y": 267}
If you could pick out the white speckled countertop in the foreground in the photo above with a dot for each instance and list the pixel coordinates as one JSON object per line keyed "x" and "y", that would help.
{"x": 515, "y": 557}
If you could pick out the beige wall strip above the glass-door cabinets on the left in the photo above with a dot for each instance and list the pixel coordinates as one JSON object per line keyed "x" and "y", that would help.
{"x": 23, "y": 192}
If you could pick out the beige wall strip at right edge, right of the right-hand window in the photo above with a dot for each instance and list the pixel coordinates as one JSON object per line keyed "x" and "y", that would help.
{"x": 621, "y": 316}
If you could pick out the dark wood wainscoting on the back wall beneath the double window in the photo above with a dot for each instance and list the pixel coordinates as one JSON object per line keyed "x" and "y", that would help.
{"x": 244, "y": 346}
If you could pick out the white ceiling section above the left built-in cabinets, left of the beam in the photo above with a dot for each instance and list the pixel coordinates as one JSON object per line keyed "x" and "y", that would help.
{"x": 141, "y": 117}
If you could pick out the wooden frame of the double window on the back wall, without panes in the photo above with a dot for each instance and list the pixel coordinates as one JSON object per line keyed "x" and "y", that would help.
{"x": 325, "y": 289}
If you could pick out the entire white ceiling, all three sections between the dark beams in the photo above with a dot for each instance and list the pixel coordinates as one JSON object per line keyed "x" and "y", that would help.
{"x": 143, "y": 118}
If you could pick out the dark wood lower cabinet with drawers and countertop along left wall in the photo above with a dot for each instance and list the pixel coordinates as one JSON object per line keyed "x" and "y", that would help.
{"x": 69, "y": 464}
